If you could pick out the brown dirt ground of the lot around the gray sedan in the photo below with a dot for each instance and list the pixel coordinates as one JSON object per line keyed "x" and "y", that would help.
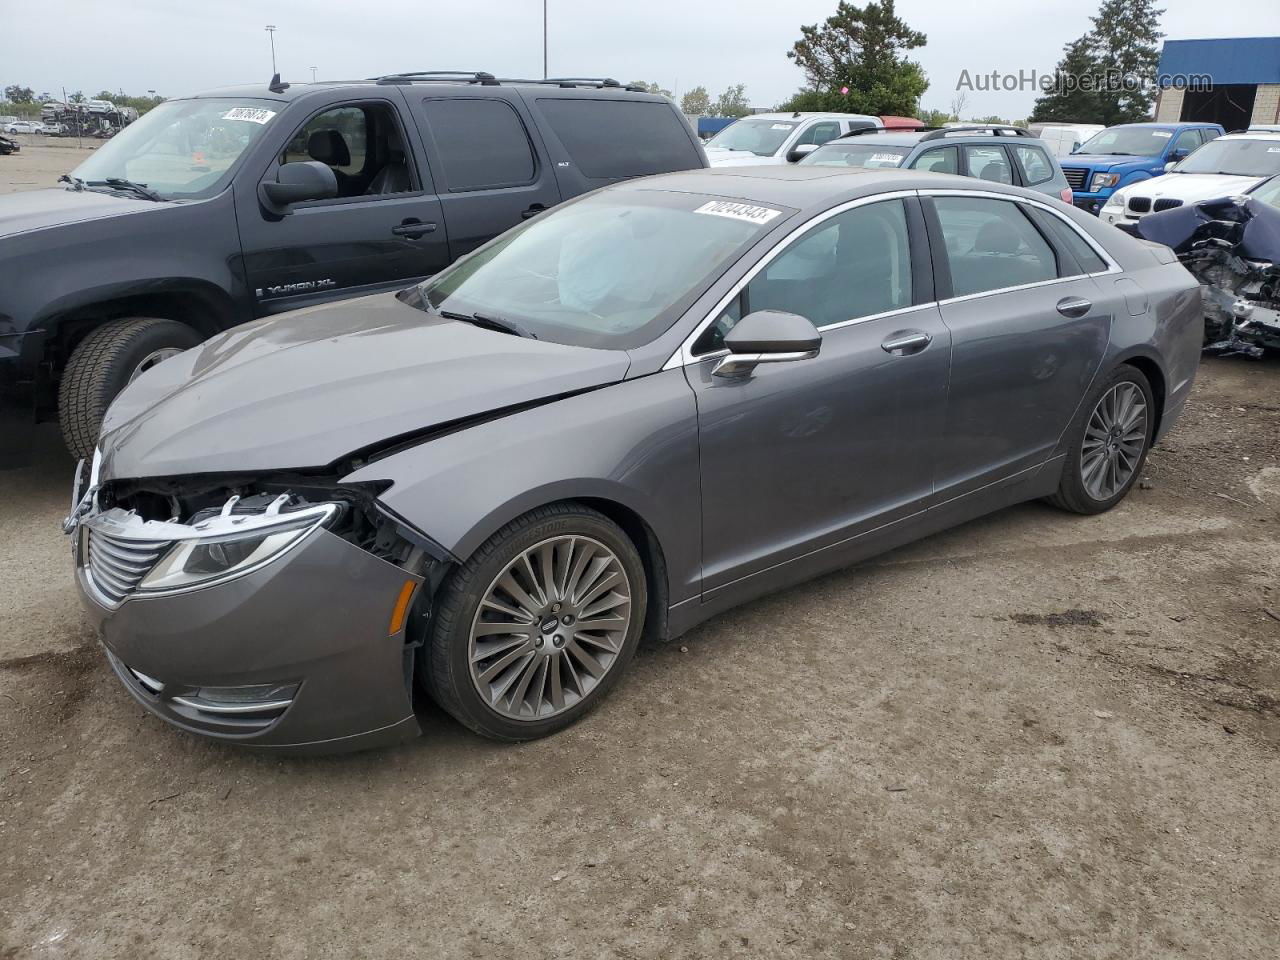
{"x": 1034, "y": 737}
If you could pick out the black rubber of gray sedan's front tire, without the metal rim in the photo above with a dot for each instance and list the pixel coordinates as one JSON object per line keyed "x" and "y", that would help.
{"x": 444, "y": 665}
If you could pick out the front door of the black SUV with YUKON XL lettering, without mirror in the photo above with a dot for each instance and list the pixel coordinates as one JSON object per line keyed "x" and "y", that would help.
{"x": 382, "y": 231}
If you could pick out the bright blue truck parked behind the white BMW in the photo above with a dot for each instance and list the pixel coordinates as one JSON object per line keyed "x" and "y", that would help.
{"x": 1128, "y": 154}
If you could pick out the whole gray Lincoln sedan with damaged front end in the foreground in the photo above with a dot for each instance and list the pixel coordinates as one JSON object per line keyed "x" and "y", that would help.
{"x": 614, "y": 422}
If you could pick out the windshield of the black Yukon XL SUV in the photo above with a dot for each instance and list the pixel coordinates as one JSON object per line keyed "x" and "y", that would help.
{"x": 184, "y": 149}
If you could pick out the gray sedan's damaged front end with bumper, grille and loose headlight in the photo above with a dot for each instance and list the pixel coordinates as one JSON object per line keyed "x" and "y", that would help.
{"x": 280, "y": 610}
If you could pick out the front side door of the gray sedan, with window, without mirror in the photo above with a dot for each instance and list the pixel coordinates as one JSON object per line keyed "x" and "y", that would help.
{"x": 804, "y": 455}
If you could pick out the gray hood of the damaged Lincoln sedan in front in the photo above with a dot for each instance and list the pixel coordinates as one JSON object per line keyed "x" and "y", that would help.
{"x": 304, "y": 390}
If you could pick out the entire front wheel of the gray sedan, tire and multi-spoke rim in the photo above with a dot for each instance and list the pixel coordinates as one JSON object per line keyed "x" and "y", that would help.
{"x": 538, "y": 625}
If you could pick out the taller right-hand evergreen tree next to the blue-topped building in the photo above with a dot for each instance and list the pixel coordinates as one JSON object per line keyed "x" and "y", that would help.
{"x": 1126, "y": 45}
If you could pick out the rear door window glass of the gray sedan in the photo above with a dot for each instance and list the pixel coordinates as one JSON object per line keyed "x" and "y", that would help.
{"x": 991, "y": 245}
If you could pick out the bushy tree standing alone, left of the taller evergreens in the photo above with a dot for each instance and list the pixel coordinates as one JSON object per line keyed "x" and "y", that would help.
{"x": 854, "y": 63}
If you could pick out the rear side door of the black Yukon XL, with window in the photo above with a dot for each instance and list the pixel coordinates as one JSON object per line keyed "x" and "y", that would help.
{"x": 491, "y": 172}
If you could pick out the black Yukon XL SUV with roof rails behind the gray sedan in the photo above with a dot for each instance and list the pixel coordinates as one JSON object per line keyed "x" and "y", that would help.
{"x": 244, "y": 203}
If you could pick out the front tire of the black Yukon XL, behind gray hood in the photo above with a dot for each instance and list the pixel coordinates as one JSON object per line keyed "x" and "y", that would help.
{"x": 102, "y": 367}
